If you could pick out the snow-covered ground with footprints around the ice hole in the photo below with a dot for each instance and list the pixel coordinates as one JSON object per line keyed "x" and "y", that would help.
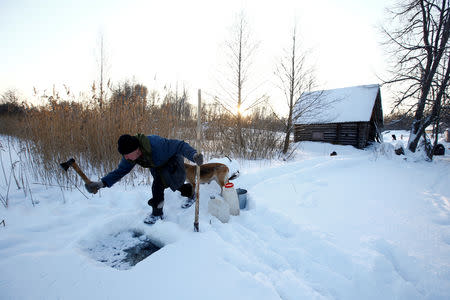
{"x": 364, "y": 224}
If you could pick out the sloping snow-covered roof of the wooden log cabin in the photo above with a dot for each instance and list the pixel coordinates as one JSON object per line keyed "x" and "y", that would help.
{"x": 350, "y": 104}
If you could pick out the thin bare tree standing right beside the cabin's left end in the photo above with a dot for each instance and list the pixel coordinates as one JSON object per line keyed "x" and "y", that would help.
{"x": 295, "y": 78}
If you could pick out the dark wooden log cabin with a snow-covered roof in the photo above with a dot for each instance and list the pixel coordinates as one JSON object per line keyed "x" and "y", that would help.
{"x": 345, "y": 116}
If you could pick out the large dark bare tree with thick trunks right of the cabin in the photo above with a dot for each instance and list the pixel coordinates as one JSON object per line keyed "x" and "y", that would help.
{"x": 418, "y": 40}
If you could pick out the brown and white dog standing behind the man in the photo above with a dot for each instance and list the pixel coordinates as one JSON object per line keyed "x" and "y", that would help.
{"x": 209, "y": 172}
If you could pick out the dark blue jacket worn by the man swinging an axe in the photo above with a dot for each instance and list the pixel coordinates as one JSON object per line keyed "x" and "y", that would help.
{"x": 163, "y": 156}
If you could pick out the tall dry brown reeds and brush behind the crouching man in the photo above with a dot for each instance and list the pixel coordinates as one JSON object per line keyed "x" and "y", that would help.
{"x": 88, "y": 130}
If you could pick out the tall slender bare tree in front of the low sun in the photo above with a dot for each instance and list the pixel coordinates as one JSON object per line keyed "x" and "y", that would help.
{"x": 238, "y": 94}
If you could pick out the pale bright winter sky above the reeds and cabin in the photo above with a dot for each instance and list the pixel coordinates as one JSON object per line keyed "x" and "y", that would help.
{"x": 54, "y": 42}
